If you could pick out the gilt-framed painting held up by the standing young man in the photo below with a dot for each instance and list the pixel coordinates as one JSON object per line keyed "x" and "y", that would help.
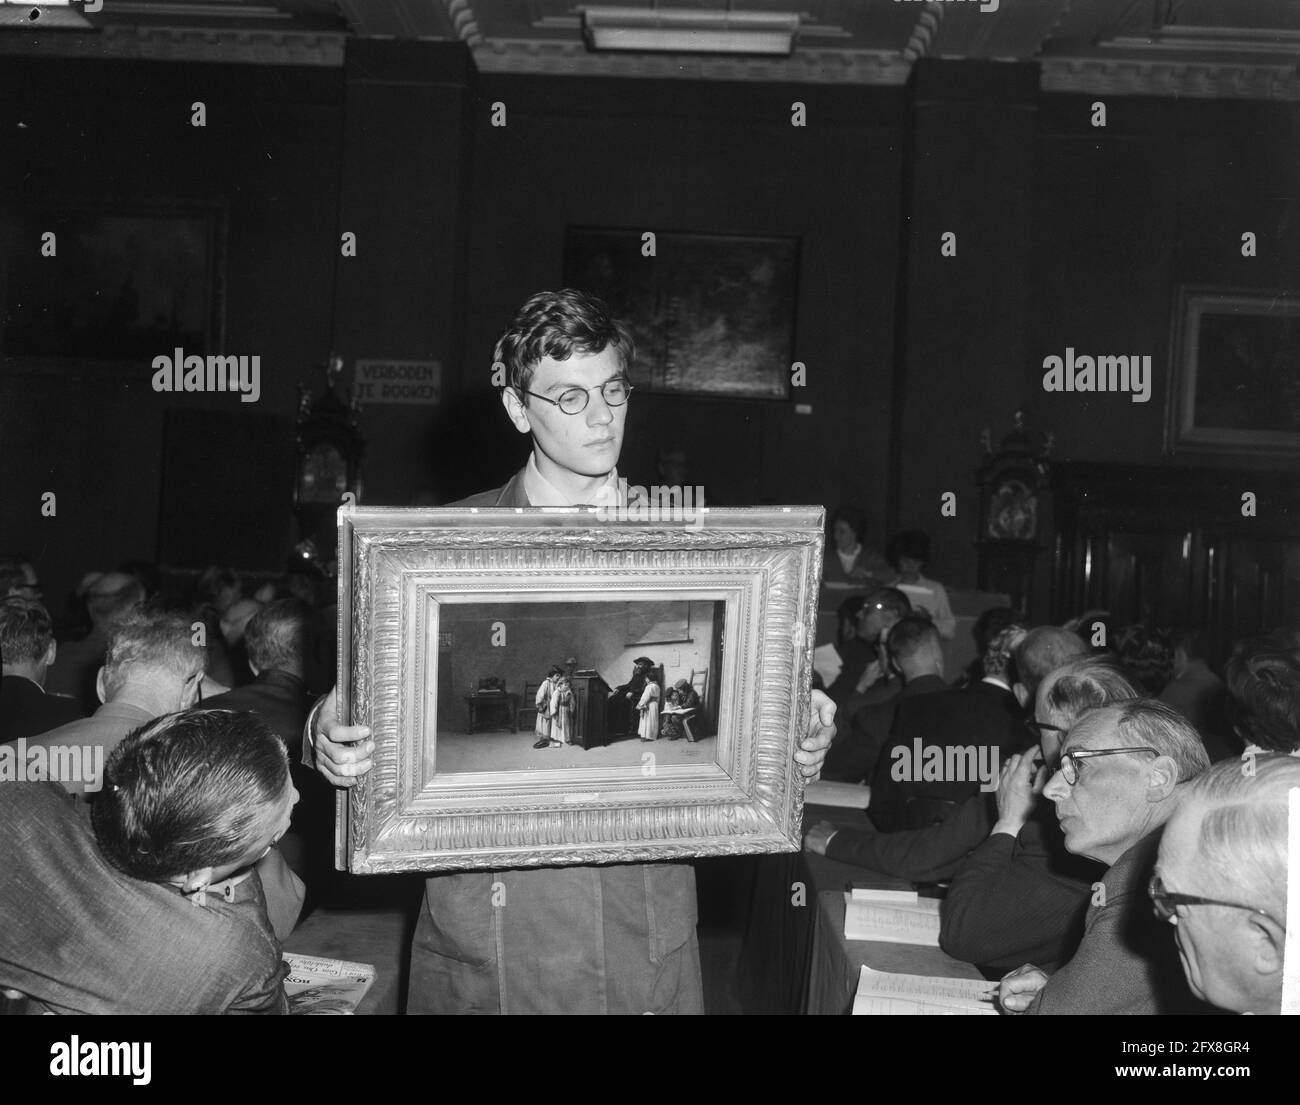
{"x": 515, "y": 726}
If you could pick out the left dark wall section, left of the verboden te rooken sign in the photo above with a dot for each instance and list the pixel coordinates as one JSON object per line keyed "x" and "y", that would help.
{"x": 118, "y": 135}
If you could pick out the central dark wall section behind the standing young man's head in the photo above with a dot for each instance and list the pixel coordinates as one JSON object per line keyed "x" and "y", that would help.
{"x": 709, "y": 159}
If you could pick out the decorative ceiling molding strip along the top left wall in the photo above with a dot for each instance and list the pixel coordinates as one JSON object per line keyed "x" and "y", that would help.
{"x": 240, "y": 47}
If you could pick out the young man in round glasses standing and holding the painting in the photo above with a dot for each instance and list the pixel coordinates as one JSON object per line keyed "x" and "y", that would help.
{"x": 613, "y": 939}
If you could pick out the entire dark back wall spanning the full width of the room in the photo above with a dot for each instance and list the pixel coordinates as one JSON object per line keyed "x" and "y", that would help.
{"x": 1068, "y": 236}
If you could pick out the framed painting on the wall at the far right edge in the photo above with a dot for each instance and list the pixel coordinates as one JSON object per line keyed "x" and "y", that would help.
{"x": 1234, "y": 383}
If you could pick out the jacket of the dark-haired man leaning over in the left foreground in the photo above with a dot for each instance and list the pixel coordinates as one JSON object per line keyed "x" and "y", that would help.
{"x": 80, "y": 937}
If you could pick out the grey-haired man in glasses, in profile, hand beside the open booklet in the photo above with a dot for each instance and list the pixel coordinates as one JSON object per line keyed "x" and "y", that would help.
{"x": 1116, "y": 788}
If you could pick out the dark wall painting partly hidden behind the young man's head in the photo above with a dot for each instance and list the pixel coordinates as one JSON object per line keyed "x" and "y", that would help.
{"x": 712, "y": 314}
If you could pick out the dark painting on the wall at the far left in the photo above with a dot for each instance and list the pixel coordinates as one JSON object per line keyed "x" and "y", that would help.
{"x": 114, "y": 287}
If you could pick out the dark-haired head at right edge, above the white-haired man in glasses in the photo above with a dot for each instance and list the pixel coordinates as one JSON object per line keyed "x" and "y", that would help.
{"x": 1264, "y": 692}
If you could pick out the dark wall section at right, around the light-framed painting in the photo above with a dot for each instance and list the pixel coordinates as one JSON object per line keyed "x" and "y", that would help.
{"x": 1124, "y": 216}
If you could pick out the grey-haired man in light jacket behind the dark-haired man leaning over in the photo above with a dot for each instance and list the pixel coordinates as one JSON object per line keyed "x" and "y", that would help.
{"x": 154, "y": 669}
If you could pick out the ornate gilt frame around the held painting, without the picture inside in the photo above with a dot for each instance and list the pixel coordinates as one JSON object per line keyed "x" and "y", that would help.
{"x": 395, "y": 564}
